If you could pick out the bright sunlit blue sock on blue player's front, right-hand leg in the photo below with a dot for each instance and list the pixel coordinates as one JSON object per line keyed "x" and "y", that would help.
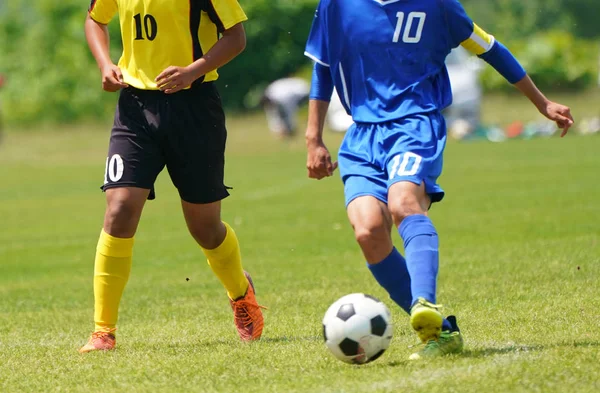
{"x": 422, "y": 257}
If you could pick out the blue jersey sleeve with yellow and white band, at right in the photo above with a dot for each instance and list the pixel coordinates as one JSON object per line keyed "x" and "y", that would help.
{"x": 464, "y": 32}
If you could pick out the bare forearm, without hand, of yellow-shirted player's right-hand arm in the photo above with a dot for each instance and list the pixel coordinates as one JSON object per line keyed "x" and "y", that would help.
{"x": 231, "y": 44}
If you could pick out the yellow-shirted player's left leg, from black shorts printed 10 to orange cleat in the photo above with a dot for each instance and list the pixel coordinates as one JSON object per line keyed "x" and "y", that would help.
{"x": 131, "y": 168}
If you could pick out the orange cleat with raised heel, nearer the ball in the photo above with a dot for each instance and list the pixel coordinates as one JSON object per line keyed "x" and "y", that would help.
{"x": 247, "y": 315}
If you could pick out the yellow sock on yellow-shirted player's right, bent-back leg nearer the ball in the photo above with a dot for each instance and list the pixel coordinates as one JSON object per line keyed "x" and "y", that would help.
{"x": 226, "y": 262}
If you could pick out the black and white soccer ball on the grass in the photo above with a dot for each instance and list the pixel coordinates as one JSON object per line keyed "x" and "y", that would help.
{"x": 357, "y": 328}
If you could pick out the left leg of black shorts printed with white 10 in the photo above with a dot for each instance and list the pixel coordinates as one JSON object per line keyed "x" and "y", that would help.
{"x": 134, "y": 152}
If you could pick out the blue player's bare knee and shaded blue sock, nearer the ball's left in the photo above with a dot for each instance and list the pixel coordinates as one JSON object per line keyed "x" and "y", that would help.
{"x": 372, "y": 225}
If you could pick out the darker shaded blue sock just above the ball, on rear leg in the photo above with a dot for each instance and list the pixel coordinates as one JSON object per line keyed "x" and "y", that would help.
{"x": 392, "y": 275}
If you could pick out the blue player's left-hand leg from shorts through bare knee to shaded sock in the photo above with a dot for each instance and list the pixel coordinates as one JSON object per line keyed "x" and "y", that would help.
{"x": 365, "y": 190}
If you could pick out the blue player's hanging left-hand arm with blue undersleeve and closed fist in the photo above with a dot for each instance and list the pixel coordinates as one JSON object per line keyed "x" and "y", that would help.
{"x": 319, "y": 162}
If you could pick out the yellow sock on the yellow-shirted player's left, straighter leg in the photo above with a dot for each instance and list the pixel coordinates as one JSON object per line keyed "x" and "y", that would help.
{"x": 111, "y": 272}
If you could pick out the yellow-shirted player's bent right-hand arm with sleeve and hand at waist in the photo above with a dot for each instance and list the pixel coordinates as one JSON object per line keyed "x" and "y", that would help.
{"x": 228, "y": 16}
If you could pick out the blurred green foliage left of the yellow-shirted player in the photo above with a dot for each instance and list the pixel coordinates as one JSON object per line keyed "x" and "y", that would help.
{"x": 51, "y": 75}
